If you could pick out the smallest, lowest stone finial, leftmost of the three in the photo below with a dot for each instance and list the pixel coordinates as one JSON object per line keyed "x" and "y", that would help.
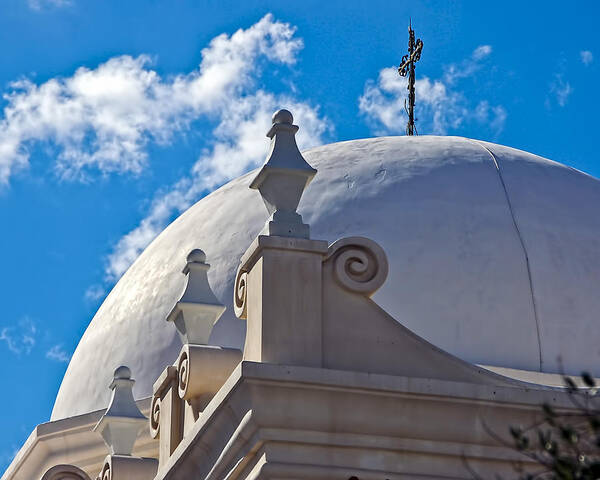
{"x": 122, "y": 421}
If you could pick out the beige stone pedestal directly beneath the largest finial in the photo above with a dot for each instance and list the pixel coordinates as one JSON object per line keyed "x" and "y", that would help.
{"x": 283, "y": 305}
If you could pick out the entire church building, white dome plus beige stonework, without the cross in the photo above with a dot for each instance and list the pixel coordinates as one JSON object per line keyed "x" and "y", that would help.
{"x": 437, "y": 314}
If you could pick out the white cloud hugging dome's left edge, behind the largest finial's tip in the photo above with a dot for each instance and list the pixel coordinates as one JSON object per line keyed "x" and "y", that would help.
{"x": 240, "y": 145}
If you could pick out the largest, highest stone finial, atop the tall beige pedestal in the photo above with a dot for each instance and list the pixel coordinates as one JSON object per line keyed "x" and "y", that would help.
{"x": 283, "y": 178}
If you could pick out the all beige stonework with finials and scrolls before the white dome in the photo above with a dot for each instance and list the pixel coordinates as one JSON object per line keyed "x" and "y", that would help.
{"x": 329, "y": 386}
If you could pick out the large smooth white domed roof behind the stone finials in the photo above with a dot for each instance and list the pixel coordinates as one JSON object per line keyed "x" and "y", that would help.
{"x": 494, "y": 256}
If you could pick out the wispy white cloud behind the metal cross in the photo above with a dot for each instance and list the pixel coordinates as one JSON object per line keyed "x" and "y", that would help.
{"x": 441, "y": 107}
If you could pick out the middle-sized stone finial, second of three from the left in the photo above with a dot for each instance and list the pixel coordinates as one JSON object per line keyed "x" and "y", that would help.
{"x": 198, "y": 309}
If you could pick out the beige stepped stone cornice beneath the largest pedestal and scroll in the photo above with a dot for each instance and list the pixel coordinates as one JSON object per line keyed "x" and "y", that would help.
{"x": 277, "y": 421}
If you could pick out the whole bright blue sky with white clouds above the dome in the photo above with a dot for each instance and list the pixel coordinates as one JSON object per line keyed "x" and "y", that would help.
{"x": 116, "y": 116}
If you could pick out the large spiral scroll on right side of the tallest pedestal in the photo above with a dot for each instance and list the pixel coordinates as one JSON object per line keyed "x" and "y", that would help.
{"x": 359, "y": 264}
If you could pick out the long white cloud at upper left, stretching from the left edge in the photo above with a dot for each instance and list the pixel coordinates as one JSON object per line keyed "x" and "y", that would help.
{"x": 102, "y": 119}
